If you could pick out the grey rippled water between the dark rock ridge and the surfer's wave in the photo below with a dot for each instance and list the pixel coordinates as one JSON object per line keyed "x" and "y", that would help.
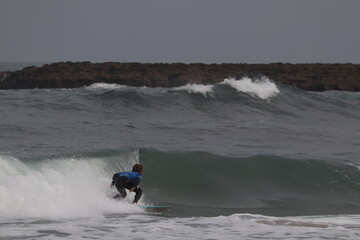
{"x": 223, "y": 121}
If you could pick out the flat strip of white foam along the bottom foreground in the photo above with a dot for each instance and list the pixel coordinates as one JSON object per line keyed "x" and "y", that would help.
{"x": 237, "y": 226}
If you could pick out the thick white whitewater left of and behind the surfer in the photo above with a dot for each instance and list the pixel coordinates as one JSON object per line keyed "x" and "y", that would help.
{"x": 62, "y": 188}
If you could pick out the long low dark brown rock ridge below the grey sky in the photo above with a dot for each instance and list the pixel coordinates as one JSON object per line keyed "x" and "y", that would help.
{"x": 313, "y": 77}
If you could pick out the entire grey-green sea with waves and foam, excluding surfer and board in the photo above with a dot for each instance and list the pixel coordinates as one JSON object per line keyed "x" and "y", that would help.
{"x": 241, "y": 159}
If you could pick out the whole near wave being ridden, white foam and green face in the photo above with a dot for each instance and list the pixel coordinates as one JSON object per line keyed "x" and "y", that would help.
{"x": 78, "y": 186}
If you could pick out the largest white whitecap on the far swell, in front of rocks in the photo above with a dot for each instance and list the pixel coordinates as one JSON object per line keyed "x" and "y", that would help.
{"x": 262, "y": 88}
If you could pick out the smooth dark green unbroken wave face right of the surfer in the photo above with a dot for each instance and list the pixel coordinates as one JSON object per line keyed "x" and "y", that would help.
{"x": 253, "y": 184}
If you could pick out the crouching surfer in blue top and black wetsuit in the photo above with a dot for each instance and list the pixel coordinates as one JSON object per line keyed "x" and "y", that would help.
{"x": 128, "y": 180}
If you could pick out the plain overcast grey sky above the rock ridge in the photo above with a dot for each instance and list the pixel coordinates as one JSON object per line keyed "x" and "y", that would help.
{"x": 251, "y": 31}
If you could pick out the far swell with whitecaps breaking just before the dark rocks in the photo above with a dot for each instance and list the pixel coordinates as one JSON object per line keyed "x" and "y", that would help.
{"x": 248, "y": 96}
